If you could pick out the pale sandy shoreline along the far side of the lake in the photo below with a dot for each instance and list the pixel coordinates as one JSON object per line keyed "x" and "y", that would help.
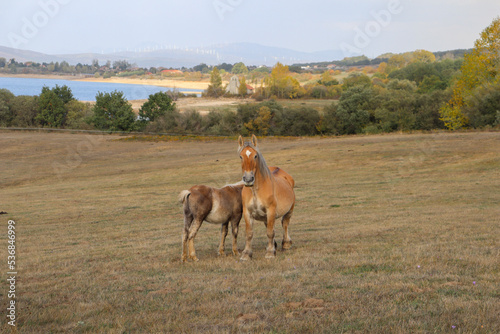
{"x": 200, "y": 86}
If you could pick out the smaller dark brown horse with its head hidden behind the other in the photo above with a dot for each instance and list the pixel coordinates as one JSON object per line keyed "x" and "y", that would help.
{"x": 216, "y": 206}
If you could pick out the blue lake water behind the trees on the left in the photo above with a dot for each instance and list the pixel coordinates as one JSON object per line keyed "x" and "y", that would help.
{"x": 83, "y": 91}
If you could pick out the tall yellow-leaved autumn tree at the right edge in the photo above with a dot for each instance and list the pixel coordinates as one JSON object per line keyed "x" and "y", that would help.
{"x": 476, "y": 94}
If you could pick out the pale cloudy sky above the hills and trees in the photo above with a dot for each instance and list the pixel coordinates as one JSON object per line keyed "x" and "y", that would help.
{"x": 370, "y": 27}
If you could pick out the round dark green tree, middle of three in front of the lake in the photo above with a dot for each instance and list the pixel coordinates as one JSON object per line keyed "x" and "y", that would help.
{"x": 113, "y": 112}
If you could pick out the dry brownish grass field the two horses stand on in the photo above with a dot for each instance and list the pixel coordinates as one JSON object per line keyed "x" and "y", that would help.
{"x": 391, "y": 234}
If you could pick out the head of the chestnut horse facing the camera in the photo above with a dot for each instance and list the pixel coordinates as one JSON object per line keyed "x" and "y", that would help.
{"x": 251, "y": 161}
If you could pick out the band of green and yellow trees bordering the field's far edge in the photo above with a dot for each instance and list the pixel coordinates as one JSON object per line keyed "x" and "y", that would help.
{"x": 411, "y": 91}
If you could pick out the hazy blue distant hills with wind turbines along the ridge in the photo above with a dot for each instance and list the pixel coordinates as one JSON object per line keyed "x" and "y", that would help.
{"x": 249, "y": 53}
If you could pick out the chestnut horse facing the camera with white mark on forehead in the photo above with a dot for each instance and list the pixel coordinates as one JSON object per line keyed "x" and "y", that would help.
{"x": 268, "y": 195}
